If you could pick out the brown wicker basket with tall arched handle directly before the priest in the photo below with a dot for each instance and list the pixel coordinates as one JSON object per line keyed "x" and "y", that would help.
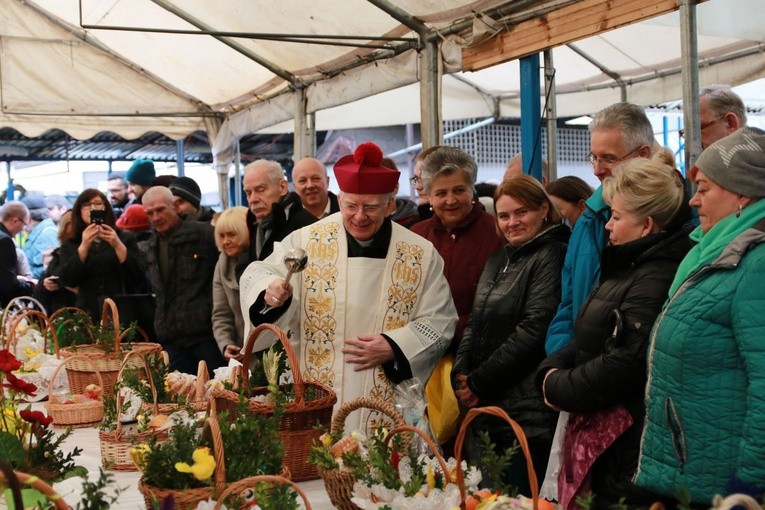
{"x": 298, "y": 428}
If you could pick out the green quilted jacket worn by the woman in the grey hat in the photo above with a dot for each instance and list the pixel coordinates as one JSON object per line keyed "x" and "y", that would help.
{"x": 705, "y": 425}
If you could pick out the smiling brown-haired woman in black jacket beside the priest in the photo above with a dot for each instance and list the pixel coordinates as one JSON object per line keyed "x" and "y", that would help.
{"x": 504, "y": 341}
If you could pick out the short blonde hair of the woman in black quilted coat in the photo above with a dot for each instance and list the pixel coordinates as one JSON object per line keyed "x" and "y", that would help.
{"x": 649, "y": 187}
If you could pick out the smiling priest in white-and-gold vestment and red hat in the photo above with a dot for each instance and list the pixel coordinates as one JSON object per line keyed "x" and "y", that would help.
{"x": 372, "y": 307}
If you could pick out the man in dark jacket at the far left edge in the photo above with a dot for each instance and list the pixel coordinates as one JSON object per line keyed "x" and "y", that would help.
{"x": 14, "y": 217}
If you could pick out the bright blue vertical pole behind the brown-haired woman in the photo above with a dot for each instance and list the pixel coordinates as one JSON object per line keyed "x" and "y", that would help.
{"x": 531, "y": 117}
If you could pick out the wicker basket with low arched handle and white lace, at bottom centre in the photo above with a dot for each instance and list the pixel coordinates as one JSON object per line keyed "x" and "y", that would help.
{"x": 339, "y": 482}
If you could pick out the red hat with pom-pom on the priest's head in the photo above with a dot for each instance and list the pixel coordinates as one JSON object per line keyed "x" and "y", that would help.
{"x": 361, "y": 172}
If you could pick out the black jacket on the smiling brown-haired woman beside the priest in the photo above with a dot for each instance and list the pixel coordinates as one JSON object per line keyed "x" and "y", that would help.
{"x": 504, "y": 341}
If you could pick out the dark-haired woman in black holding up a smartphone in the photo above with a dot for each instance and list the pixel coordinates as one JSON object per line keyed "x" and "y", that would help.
{"x": 99, "y": 259}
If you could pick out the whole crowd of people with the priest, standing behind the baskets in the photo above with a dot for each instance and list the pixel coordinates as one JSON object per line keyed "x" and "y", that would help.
{"x": 620, "y": 327}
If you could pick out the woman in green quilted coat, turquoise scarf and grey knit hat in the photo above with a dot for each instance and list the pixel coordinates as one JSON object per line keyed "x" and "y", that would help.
{"x": 705, "y": 427}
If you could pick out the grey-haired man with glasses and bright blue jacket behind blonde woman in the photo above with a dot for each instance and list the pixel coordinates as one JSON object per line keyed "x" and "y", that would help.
{"x": 618, "y": 133}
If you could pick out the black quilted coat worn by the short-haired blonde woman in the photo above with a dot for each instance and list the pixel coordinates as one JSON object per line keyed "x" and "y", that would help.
{"x": 598, "y": 370}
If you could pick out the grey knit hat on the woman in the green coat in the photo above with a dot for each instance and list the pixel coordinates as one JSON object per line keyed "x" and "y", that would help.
{"x": 736, "y": 162}
